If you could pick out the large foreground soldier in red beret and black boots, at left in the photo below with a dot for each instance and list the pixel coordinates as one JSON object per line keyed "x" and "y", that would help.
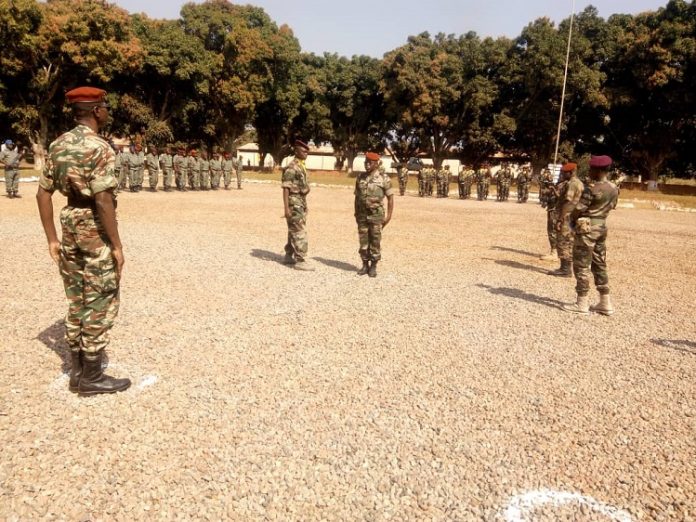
{"x": 90, "y": 256}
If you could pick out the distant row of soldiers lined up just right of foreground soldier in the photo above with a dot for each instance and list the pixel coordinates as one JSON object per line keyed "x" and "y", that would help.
{"x": 181, "y": 170}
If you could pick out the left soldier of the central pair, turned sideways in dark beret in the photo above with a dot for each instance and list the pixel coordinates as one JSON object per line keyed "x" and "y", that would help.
{"x": 295, "y": 189}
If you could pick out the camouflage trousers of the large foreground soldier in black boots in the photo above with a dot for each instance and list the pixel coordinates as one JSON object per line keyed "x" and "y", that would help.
{"x": 90, "y": 280}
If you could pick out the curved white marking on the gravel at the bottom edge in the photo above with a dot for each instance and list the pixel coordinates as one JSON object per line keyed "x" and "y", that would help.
{"x": 520, "y": 505}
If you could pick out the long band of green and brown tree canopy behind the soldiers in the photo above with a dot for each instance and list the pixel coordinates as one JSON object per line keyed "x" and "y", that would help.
{"x": 222, "y": 70}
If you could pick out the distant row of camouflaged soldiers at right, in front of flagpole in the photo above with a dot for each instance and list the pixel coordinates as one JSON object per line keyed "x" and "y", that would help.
{"x": 430, "y": 178}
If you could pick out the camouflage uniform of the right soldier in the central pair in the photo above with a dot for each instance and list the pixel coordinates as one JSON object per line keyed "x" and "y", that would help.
{"x": 370, "y": 190}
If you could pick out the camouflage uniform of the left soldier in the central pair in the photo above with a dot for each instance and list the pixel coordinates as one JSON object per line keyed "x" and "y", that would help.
{"x": 295, "y": 181}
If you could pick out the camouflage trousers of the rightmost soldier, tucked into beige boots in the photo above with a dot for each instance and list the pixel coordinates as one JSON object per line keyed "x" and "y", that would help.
{"x": 590, "y": 255}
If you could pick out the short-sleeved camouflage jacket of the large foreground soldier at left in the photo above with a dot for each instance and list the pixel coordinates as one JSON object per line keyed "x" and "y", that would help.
{"x": 80, "y": 162}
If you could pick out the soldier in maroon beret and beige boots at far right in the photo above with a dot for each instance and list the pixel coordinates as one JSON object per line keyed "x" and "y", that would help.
{"x": 589, "y": 219}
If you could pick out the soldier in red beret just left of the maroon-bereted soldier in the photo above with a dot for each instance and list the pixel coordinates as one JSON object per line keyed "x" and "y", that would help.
{"x": 569, "y": 192}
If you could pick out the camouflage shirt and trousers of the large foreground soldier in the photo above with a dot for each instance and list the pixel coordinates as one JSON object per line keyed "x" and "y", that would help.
{"x": 81, "y": 164}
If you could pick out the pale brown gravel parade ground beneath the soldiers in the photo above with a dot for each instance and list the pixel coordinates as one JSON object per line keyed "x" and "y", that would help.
{"x": 450, "y": 387}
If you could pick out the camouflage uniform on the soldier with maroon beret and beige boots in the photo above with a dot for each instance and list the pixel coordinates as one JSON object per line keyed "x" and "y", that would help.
{"x": 589, "y": 247}
